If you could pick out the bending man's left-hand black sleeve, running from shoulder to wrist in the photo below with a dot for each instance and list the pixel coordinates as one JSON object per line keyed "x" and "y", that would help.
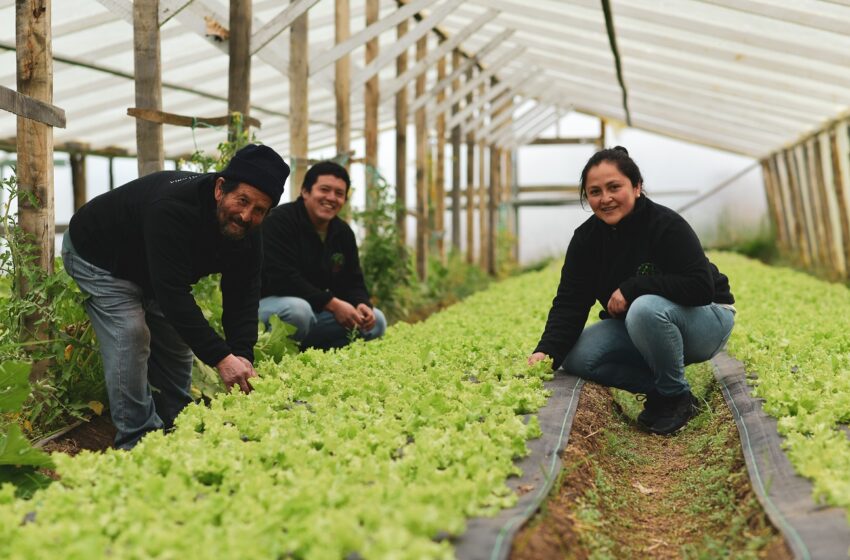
{"x": 168, "y": 244}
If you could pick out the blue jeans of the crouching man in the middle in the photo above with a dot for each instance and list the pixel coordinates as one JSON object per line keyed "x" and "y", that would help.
{"x": 314, "y": 330}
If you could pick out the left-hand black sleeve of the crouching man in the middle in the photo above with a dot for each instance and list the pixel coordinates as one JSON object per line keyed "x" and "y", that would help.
{"x": 282, "y": 263}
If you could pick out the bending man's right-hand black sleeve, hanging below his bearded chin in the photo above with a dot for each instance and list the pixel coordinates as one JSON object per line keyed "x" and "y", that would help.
{"x": 240, "y": 293}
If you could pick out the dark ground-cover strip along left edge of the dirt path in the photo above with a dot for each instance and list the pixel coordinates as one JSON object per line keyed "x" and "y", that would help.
{"x": 490, "y": 538}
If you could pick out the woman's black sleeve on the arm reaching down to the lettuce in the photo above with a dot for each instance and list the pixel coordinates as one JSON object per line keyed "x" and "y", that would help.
{"x": 571, "y": 305}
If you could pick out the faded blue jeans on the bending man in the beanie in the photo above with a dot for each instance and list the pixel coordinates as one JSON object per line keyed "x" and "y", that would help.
{"x": 146, "y": 365}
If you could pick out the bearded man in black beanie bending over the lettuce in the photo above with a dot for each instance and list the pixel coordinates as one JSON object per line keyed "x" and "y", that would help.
{"x": 136, "y": 251}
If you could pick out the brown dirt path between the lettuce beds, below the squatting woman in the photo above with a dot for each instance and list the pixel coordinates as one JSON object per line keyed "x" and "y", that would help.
{"x": 640, "y": 511}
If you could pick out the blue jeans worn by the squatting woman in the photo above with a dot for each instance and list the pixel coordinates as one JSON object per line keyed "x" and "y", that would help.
{"x": 650, "y": 349}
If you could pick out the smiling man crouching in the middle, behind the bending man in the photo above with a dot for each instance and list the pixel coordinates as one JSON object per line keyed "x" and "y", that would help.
{"x": 311, "y": 269}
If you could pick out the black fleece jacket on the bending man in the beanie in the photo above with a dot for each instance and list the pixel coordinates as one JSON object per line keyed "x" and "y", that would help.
{"x": 161, "y": 233}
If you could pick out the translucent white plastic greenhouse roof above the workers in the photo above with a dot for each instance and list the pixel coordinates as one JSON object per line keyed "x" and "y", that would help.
{"x": 746, "y": 76}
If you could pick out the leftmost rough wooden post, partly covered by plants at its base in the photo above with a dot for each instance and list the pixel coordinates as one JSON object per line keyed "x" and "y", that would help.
{"x": 36, "y": 211}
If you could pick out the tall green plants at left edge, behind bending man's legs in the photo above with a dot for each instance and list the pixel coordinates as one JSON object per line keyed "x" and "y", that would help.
{"x": 59, "y": 339}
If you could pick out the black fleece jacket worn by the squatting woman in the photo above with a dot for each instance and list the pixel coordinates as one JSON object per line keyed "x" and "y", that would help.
{"x": 653, "y": 250}
